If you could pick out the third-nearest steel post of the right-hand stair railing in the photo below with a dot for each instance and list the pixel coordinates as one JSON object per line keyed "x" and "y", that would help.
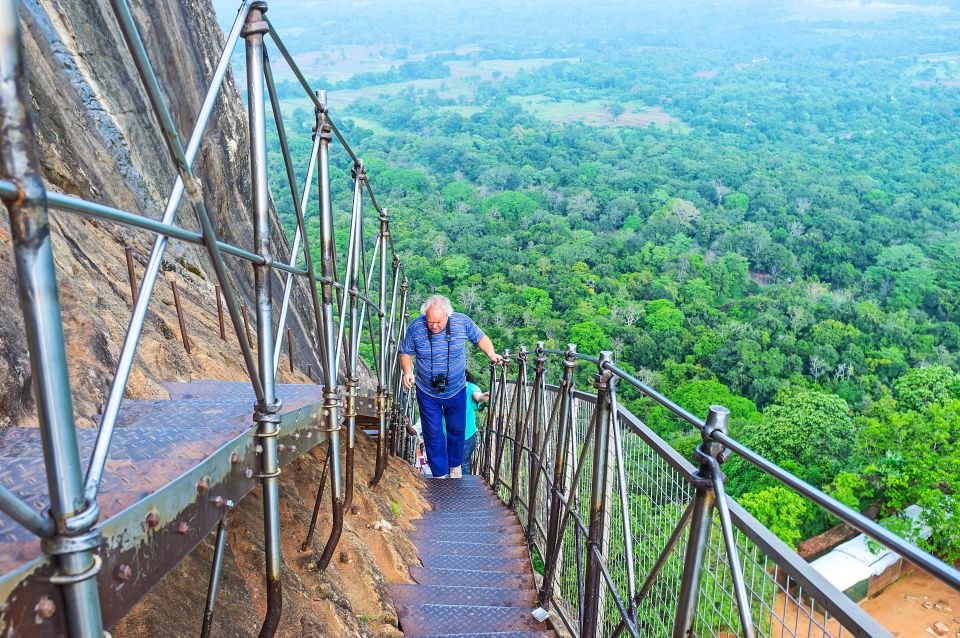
{"x": 564, "y": 422}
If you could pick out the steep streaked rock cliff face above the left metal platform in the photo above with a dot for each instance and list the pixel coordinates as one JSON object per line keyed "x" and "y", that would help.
{"x": 99, "y": 140}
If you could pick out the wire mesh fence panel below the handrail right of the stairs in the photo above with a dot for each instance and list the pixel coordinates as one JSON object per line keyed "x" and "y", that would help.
{"x": 645, "y": 511}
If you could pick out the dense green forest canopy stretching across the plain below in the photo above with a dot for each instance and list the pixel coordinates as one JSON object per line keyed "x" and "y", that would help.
{"x": 790, "y": 253}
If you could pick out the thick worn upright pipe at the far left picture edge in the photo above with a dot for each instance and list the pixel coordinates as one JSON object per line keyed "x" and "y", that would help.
{"x": 40, "y": 304}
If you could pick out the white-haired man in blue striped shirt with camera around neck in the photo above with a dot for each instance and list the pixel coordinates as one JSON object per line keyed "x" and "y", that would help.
{"x": 437, "y": 338}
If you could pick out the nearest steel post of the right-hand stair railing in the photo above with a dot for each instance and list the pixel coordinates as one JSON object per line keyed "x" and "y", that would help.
{"x": 701, "y": 521}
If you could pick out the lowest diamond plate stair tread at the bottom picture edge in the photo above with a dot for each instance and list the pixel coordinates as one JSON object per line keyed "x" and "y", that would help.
{"x": 423, "y": 620}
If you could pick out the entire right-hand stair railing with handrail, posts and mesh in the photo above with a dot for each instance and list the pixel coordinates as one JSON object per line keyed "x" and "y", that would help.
{"x": 631, "y": 538}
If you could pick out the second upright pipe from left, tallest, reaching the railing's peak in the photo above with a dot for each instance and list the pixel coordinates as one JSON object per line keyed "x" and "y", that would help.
{"x": 268, "y": 406}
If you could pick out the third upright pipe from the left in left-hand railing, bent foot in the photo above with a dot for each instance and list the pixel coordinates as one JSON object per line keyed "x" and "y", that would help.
{"x": 331, "y": 393}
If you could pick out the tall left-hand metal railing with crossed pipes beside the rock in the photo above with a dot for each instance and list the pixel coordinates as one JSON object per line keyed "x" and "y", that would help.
{"x": 341, "y": 308}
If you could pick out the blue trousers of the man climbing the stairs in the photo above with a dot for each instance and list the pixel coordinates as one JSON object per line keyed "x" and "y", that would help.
{"x": 443, "y": 452}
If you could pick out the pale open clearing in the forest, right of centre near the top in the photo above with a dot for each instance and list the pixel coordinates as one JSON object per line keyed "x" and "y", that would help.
{"x": 595, "y": 113}
